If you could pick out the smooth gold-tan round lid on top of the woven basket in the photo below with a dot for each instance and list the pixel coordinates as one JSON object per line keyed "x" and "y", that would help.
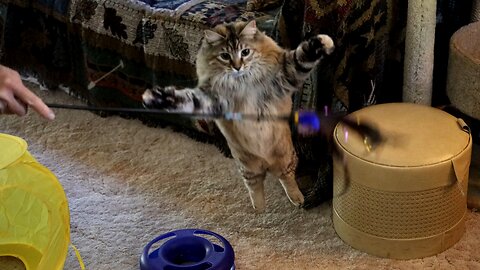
{"x": 414, "y": 135}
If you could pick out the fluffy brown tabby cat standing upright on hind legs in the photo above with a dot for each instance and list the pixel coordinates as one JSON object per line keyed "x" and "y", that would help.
{"x": 240, "y": 69}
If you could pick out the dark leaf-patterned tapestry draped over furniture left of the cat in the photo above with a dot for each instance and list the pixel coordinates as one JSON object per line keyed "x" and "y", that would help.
{"x": 155, "y": 40}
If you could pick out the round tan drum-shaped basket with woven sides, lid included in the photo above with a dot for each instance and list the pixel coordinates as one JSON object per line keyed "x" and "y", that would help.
{"x": 407, "y": 198}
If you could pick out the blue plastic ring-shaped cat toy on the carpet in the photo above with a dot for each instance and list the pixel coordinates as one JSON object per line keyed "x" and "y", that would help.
{"x": 188, "y": 249}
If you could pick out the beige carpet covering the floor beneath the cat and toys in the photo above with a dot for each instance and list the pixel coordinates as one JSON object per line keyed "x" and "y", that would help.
{"x": 127, "y": 183}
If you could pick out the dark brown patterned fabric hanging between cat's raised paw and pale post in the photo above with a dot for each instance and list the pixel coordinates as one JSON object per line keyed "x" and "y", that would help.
{"x": 369, "y": 47}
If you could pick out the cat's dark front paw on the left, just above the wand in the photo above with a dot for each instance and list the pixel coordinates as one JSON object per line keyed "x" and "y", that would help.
{"x": 162, "y": 98}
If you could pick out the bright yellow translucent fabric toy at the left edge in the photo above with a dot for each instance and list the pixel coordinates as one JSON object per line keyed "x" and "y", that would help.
{"x": 34, "y": 216}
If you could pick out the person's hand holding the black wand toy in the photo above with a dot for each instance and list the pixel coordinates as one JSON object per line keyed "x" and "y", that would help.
{"x": 15, "y": 98}
